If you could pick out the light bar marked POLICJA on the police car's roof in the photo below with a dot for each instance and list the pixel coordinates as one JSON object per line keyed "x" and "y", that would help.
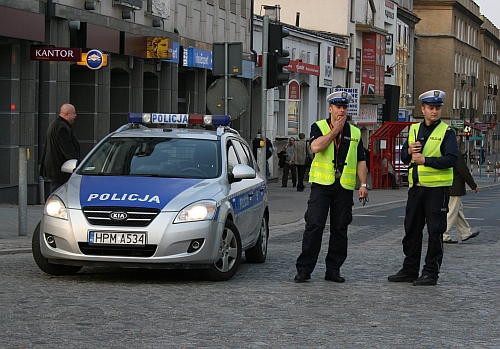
{"x": 180, "y": 119}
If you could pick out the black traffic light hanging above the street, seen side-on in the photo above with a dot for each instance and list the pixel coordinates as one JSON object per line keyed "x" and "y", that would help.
{"x": 277, "y": 57}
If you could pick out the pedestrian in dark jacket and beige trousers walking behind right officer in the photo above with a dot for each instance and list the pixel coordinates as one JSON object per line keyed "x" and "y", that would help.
{"x": 461, "y": 175}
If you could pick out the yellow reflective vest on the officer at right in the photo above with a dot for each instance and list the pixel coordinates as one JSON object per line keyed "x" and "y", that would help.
{"x": 428, "y": 176}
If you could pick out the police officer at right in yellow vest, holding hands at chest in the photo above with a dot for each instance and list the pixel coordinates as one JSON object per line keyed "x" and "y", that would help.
{"x": 432, "y": 150}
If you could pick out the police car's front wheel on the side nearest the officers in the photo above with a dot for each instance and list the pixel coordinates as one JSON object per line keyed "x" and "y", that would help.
{"x": 229, "y": 258}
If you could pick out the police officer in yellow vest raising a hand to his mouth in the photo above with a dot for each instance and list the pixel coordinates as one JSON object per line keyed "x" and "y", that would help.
{"x": 339, "y": 156}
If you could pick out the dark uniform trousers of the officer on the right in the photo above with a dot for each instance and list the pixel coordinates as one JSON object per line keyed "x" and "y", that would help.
{"x": 425, "y": 205}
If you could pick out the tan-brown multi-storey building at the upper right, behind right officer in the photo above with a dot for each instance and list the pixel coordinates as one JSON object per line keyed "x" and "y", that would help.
{"x": 468, "y": 65}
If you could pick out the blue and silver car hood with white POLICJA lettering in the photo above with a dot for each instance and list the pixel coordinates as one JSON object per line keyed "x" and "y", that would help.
{"x": 167, "y": 194}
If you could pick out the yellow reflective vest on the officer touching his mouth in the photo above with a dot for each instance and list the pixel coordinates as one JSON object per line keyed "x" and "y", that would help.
{"x": 322, "y": 169}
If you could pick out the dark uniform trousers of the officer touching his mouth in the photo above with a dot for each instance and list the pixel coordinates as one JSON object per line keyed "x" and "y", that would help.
{"x": 339, "y": 202}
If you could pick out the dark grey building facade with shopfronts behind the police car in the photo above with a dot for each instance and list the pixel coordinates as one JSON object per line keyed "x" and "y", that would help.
{"x": 135, "y": 78}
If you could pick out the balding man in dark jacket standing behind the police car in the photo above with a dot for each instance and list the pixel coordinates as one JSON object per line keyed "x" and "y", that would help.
{"x": 61, "y": 145}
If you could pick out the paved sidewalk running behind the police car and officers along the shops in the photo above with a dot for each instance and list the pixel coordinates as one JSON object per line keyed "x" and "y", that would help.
{"x": 286, "y": 205}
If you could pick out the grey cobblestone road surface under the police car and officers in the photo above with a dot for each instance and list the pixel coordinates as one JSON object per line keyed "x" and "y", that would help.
{"x": 261, "y": 307}
